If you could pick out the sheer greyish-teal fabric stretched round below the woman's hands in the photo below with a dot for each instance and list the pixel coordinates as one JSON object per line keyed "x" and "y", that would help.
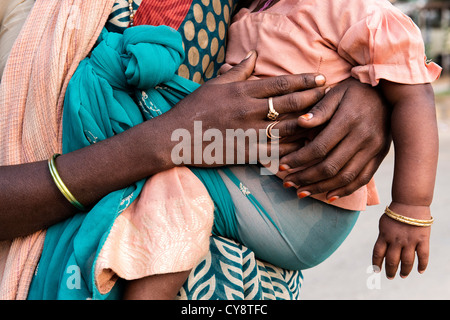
{"x": 306, "y": 231}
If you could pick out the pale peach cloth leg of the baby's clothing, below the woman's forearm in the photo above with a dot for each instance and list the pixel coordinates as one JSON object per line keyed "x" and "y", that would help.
{"x": 165, "y": 230}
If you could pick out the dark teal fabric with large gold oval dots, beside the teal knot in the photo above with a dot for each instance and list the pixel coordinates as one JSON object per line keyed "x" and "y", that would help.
{"x": 204, "y": 33}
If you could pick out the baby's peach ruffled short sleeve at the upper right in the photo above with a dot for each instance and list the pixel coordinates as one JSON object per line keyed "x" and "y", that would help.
{"x": 386, "y": 44}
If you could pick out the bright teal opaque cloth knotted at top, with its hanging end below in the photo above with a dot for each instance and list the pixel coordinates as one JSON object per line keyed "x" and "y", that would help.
{"x": 100, "y": 103}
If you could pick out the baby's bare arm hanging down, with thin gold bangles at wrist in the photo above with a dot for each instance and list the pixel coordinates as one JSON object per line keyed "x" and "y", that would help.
{"x": 415, "y": 136}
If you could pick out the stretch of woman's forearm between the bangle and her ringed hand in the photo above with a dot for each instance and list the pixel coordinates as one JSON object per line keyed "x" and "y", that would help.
{"x": 94, "y": 171}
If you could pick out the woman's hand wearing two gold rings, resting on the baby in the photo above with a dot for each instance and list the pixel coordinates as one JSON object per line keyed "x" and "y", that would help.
{"x": 231, "y": 106}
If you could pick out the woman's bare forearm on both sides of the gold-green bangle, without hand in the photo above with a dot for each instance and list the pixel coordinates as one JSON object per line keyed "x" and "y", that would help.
{"x": 30, "y": 200}
